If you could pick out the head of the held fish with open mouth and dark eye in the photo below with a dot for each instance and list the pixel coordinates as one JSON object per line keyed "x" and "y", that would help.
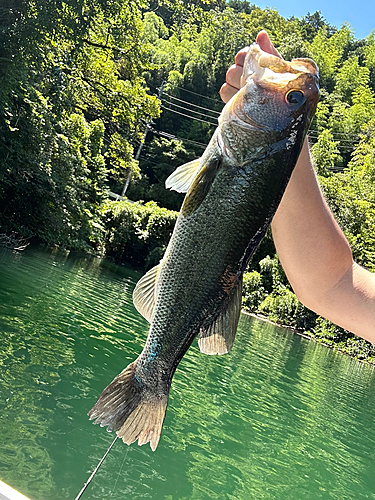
{"x": 267, "y": 80}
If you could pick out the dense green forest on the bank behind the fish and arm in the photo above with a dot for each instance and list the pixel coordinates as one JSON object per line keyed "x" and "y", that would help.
{"x": 102, "y": 97}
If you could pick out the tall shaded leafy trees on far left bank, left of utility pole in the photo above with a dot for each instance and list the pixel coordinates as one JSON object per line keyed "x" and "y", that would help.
{"x": 71, "y": 100}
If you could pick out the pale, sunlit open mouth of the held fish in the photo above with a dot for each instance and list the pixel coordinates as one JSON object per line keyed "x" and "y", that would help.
{"x": 261, "y": 66}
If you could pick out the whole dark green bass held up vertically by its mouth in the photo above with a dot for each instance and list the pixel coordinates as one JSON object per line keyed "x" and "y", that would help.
{"x": 232, "y": 193}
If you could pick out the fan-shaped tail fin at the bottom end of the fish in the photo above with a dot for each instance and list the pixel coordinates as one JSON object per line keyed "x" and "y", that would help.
{"x": 128, "y": 407}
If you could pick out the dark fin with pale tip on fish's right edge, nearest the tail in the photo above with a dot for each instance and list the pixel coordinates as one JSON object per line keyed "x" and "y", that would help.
{"x": 218, "y": 338}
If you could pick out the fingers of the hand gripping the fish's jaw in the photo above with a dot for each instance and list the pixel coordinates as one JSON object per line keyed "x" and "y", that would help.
{"x": 233, "y": 76}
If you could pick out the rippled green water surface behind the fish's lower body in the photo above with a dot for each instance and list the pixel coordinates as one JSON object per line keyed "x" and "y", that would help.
{"x": 278, "y": 418}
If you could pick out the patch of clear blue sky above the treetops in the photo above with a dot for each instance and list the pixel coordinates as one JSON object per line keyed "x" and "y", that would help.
{"x": 359, "y": 13}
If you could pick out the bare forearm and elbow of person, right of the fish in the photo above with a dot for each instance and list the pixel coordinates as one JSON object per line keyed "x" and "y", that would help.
{"x": 317, "y": 258}
